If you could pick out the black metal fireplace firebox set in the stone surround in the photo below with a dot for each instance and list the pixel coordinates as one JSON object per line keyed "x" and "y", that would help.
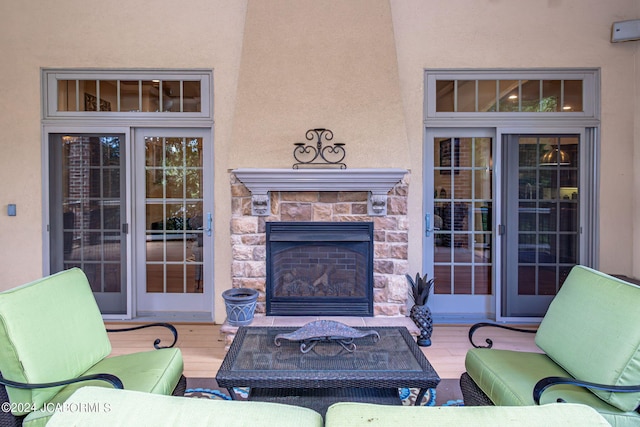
{"x": 319, "y": 269}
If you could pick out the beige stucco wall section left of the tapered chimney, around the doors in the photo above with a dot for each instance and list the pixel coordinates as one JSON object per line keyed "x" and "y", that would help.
{"x": 95, "y": 34}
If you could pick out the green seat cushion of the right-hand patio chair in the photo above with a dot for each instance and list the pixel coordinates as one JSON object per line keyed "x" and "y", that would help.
{"x": 507, "y": 377}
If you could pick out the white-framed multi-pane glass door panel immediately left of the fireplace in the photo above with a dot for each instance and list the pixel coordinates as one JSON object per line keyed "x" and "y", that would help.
{"x": 176, "y": 222}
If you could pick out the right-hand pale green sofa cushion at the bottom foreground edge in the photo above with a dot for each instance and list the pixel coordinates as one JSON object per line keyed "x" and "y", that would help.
{"x": 560, "y": 415}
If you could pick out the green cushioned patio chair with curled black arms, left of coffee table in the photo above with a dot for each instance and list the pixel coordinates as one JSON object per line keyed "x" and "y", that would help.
{"x": 53, "y": 341}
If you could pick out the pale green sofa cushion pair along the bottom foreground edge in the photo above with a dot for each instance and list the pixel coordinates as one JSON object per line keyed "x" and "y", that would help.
{"x": 105, "y": 407}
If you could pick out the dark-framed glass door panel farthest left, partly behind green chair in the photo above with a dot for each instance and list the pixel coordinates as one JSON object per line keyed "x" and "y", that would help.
{"x": 87, "y": 213}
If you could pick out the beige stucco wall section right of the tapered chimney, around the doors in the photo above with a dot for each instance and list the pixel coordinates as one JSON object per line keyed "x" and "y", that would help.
{"x": 532, "y": 34}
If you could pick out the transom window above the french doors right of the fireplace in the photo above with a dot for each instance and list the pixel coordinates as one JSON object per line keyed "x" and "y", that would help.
{"x": 491, "y": 94}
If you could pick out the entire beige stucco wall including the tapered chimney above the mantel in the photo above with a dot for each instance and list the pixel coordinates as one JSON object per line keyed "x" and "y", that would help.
{"x": 284, "y": 66}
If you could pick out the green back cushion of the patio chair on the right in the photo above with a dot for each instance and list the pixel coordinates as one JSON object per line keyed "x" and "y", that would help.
{"x": 591, "y": 330}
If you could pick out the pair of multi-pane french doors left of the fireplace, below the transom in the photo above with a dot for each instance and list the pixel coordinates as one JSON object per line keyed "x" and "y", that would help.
{"x": 158, "y": 262}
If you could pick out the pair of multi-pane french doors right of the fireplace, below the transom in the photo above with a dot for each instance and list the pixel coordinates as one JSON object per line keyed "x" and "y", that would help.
{"x": 502, "y": 225}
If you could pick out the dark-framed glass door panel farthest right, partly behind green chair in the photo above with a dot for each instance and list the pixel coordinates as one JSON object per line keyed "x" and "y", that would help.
{"x": 542, "y": 221}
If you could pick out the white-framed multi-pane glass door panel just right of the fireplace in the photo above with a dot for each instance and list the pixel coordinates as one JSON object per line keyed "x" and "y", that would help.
{"x": 460, "y": 222}
